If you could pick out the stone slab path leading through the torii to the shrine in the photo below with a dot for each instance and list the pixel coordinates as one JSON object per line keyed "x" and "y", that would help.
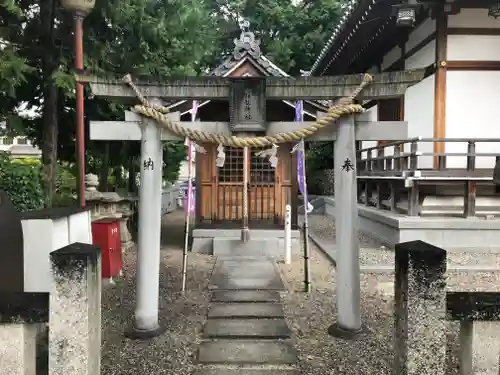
{"x": 245, "y": 332}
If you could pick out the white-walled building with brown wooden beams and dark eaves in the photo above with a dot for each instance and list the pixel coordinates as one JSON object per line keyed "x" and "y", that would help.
{"x": 457, "y": 41}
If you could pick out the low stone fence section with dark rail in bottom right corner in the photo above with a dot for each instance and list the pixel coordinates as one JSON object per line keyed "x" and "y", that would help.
{"x": 476, "y": 311}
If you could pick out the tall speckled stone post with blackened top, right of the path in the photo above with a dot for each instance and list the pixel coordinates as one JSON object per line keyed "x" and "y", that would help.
{"x": 420, "y": 309}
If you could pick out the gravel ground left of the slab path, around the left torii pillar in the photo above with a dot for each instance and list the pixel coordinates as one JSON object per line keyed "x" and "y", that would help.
{"x": 183, "y": 316}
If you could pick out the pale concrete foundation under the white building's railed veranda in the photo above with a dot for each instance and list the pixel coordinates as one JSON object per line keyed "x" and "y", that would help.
{"x": 474, "y": 234}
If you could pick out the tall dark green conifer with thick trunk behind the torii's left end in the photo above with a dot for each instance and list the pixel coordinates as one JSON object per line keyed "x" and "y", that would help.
{"x": 141, "y": 37}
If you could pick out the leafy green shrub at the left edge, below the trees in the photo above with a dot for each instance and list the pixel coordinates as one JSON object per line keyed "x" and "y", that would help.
{"x": 22, "y": 183}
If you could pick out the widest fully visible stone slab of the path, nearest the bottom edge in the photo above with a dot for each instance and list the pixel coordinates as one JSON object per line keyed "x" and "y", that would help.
{"x": 247, "y": 352}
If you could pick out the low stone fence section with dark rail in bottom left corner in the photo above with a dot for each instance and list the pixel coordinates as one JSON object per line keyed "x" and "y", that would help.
{"x": 21, "y": 315}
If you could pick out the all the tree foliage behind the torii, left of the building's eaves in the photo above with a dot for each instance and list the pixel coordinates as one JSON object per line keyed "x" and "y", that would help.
{"x": 141, "y": 37}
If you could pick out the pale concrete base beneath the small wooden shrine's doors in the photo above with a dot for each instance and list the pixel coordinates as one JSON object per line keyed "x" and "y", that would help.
{"x": 263, "y": 242}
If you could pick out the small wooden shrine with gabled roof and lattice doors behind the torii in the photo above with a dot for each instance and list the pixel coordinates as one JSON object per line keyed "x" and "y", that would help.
{"x": 219, "y": 191}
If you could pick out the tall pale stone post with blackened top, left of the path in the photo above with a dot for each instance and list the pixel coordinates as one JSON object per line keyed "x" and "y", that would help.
{"x": 75, "y": 311}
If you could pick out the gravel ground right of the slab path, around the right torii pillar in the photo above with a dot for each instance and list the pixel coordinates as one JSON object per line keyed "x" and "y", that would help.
{"x": 309, "y": 317}
